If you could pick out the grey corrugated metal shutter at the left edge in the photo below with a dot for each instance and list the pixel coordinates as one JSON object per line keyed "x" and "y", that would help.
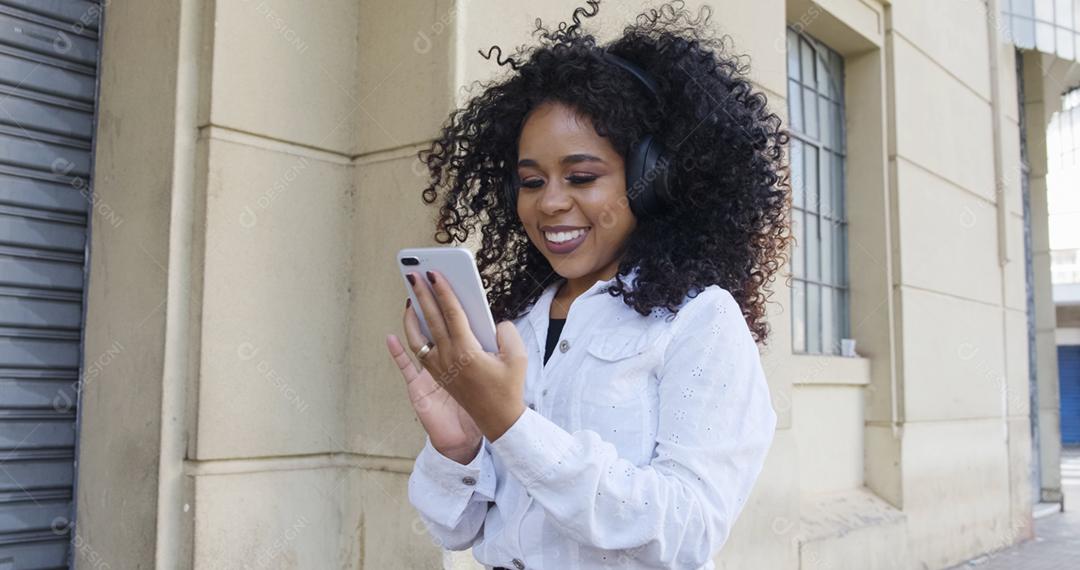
{"x": 48, "y": 87}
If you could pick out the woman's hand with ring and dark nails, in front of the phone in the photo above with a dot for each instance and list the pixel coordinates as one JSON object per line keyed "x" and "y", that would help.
{"x": 490, "y": 387}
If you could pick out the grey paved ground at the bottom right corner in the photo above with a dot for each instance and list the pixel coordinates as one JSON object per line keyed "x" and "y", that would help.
{"x": 1057, "y": 546}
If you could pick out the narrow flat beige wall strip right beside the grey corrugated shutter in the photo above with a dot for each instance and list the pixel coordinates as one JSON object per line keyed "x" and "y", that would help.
{"x": 120, "y": 408}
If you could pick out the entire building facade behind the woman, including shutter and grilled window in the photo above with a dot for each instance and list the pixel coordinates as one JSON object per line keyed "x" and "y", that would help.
{"x": 204, "y": 331}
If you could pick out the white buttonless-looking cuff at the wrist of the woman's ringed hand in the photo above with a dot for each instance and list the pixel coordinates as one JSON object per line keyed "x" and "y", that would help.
{"x": 534, "y": 447}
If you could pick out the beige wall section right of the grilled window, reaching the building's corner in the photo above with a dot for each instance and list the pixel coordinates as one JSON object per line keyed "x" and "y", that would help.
{"x": 961, "y": 284}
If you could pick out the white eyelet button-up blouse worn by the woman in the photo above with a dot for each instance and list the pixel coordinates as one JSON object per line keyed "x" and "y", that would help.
{"x": 641, "y": 443}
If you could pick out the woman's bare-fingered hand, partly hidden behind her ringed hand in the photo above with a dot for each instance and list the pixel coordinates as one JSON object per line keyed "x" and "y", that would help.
{"x": 452, "y": 430}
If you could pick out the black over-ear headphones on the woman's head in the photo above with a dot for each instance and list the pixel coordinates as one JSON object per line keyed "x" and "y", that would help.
{"x": 647, "y": 179}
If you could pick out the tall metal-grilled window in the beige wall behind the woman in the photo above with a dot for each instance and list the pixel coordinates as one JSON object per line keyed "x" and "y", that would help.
{"x": 820, "y": 302}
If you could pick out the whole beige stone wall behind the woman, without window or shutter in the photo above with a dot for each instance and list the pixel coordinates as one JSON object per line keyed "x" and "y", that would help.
{"x": 268, "y": 166}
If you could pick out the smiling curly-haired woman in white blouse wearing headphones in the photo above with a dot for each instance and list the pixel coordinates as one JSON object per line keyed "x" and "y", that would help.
{"x": 632, "y": 435}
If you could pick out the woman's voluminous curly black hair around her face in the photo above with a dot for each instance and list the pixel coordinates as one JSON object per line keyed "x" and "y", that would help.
{"x": 730, "y": 224}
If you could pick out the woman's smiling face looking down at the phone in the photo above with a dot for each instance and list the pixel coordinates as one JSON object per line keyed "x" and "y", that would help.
{"x": 573, "y": 195}
